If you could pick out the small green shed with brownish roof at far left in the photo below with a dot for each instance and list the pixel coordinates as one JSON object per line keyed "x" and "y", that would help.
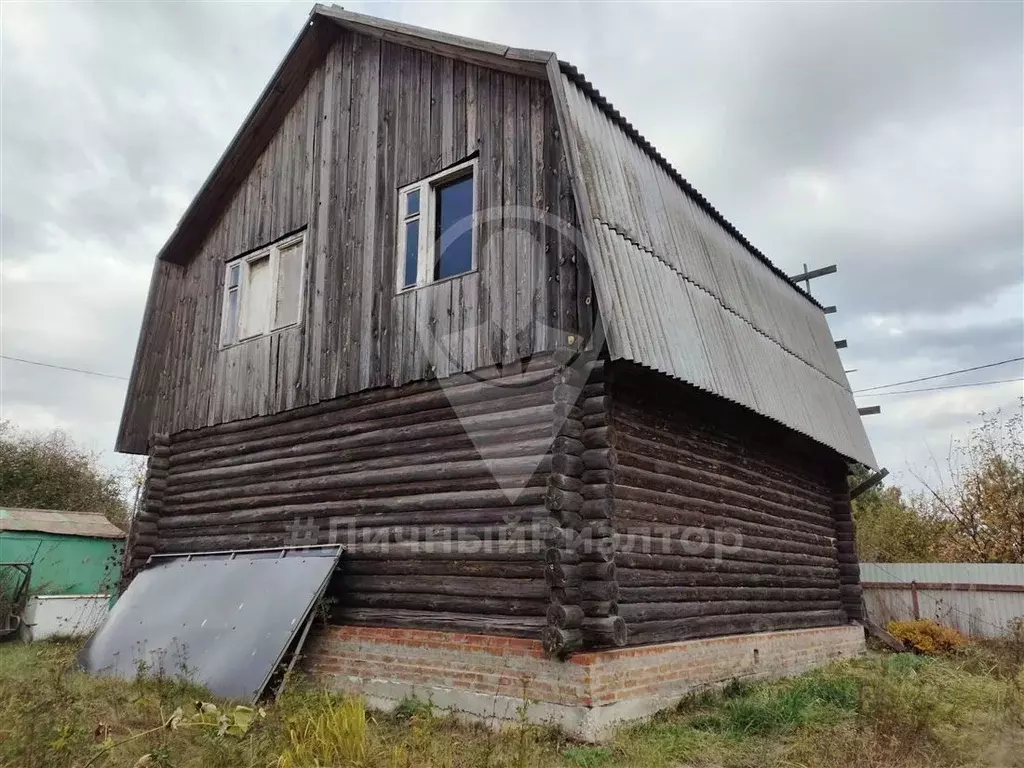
{"x": 75, "y": 560}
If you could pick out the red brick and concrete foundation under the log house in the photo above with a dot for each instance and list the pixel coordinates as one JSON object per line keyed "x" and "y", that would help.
{"x": 488, "y": 677}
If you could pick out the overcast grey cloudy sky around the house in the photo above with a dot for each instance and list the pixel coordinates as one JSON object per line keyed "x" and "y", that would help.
{"x": 883, "y": 138}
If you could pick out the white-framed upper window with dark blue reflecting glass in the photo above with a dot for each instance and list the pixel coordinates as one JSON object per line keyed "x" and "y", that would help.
{"x": 437, "y": 228}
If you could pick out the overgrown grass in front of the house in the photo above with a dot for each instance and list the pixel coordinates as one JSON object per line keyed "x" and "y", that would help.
{"x": 878, "y": 712}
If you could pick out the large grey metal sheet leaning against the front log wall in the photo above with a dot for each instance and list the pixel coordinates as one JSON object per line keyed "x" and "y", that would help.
{"x": 224, "y": 621}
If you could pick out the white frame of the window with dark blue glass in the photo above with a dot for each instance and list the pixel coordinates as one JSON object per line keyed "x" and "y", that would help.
{"x": 425, "y": 251}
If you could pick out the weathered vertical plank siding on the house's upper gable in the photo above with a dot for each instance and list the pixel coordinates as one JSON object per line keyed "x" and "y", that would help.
{"x": 373, "y": 117}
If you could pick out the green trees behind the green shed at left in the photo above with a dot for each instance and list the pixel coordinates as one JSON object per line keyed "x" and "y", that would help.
{"x": 51, "y": 472}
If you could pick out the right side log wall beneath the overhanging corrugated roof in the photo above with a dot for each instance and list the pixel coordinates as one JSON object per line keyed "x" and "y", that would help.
{"x": 724, "y": 523}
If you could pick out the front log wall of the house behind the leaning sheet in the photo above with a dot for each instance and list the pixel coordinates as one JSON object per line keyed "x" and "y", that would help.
{"x": 439, "y": 496}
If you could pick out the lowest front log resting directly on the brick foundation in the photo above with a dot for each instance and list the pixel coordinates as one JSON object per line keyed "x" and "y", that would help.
{"x": 447, "y": 622}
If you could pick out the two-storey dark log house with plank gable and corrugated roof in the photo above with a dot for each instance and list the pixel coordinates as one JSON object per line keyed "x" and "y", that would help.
{"x": 598, "y": 372}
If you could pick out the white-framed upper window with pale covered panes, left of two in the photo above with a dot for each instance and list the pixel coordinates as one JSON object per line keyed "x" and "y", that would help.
{"x": 264, "y": 291}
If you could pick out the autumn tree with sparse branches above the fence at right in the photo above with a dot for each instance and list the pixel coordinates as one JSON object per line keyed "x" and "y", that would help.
{"x": 979, "y": 495}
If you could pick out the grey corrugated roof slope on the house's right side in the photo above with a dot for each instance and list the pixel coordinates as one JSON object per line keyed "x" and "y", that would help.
{"x": 681, "y": 291}
